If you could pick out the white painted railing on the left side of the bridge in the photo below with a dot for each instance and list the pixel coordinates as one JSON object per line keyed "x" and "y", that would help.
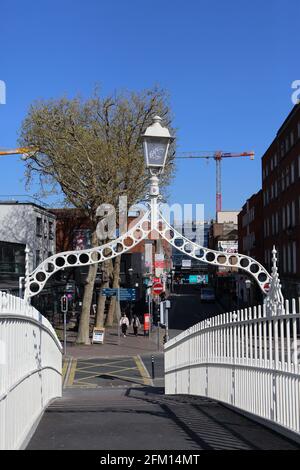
{"x": 30, "y": 369}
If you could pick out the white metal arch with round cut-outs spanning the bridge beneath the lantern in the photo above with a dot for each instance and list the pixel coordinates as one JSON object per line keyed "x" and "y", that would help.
{"x": 151, "y": 221}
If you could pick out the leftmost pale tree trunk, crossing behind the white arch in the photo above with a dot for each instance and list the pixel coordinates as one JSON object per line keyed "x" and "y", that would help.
{"x": 83, "y": 336}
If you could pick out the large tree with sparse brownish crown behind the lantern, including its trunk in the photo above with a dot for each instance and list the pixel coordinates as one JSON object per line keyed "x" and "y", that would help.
{"x": 90, "y": 152}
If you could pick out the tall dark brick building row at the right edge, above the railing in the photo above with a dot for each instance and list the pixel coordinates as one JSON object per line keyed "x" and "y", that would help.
{"x": 278, "y": 220}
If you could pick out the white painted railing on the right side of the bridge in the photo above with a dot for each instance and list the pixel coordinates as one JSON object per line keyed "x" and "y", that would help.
{"x": 244, "y": 359}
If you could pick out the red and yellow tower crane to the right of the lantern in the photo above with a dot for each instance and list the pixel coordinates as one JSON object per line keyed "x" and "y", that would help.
{"x": 218, "y": 157}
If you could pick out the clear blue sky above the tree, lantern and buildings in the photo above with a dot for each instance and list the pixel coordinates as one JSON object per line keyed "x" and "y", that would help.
{"x": 228, "y": 67}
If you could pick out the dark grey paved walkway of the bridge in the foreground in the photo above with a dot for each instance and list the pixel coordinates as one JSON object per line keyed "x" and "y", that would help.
{"x": 144, "y": 418}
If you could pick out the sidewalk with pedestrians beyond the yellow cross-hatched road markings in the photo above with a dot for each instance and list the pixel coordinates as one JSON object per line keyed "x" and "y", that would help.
{"x": 115, "y": 346}
